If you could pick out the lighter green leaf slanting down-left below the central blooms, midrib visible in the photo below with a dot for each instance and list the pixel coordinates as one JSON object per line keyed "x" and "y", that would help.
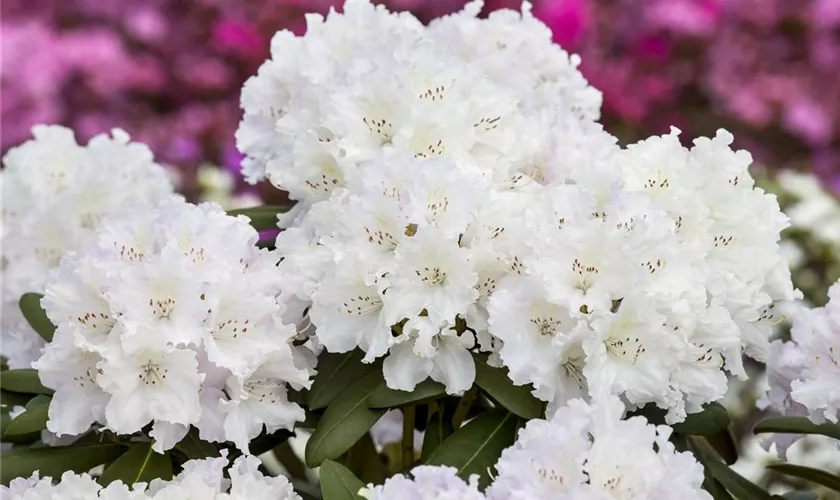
{"x": 346, "y": 420}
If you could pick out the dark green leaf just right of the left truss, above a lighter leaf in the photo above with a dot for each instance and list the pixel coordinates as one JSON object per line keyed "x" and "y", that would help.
{"x": 336, "y": 372}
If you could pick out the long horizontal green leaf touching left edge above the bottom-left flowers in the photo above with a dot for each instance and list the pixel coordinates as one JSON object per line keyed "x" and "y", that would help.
{"x": 55, "y": 461}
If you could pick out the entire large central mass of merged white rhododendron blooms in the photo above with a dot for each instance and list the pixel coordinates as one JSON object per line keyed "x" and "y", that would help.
{"x": 456, "y": 195}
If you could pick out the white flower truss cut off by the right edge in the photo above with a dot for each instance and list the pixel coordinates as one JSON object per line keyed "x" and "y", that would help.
{"x": 805, "y": 373}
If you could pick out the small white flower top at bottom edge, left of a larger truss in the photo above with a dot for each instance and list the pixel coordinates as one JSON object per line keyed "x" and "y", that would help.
{"x": 426, "y": 483}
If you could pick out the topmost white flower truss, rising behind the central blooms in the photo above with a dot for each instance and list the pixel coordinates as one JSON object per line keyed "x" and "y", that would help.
{"x": 368, "y": 81}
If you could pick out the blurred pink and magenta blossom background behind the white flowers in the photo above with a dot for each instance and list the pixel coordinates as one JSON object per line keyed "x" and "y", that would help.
{"x": 169, "y": 72}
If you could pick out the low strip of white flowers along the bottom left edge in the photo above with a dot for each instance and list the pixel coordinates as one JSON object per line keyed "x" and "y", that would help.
{"x": 200, "y": 479}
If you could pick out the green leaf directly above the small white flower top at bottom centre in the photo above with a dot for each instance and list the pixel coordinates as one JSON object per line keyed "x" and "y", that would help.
{"x": 475, "y": 448}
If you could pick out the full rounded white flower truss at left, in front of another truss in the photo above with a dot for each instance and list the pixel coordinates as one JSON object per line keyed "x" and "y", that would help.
{"x": 171, "y": 319}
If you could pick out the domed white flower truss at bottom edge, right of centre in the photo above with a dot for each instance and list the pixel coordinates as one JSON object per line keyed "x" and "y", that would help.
{"x": 588, "y": 452}
